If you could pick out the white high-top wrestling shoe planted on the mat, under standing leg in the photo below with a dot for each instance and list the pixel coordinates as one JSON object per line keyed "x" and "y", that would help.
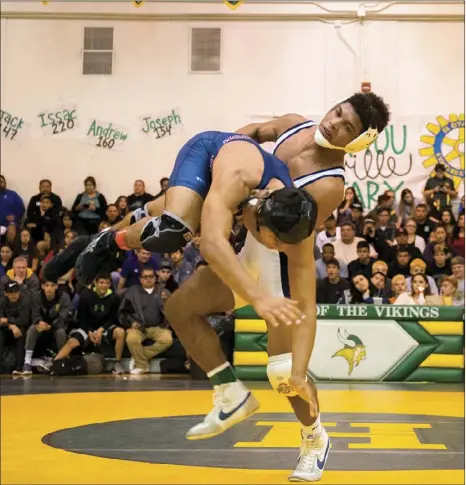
{"x": 312, "y": 458}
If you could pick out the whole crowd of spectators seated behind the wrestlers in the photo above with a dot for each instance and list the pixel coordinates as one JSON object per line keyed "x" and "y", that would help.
{"x": 405, "y": 252}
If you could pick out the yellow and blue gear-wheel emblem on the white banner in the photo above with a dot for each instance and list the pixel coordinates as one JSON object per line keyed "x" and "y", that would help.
{"x": 446, "y": 146}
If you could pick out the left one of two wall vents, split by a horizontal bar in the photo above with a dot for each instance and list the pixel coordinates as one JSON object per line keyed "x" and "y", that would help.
{"x": 98, "y": 50}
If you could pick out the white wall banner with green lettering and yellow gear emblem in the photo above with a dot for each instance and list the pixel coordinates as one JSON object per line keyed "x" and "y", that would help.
{"x": 404, "y": 156}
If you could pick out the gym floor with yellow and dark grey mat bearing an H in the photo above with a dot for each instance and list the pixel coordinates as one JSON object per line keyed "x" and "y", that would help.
{"x": 73, "y": 431}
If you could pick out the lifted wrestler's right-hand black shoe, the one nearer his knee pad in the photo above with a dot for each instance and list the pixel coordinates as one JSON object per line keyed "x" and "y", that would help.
{"x": 96, "y": 257}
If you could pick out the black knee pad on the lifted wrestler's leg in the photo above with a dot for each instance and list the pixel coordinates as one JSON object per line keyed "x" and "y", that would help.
{"x": 165, "y": 235}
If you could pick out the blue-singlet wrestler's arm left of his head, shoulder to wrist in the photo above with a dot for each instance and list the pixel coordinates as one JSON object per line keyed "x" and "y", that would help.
{"x": 229, "y": 188}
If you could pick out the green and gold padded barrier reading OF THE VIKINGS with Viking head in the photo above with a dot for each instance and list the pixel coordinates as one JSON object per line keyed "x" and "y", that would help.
{"x": 367, "y": 343}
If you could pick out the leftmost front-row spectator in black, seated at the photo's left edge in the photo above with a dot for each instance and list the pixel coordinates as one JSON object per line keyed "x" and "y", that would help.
{"x": 15, "y": 318}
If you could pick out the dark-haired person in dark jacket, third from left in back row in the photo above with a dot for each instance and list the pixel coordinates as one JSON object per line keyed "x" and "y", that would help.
{"x": 90, "y": 206}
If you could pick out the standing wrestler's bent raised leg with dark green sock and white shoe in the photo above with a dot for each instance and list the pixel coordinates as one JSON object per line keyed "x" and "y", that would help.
{"x": 202, "y": 294}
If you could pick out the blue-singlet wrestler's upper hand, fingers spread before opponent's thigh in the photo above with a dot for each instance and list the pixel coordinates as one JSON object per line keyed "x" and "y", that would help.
{"x": 279, "y": 311}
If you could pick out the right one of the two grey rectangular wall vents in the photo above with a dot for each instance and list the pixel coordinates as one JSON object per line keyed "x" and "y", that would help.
{"x": 205, "y": 49}
